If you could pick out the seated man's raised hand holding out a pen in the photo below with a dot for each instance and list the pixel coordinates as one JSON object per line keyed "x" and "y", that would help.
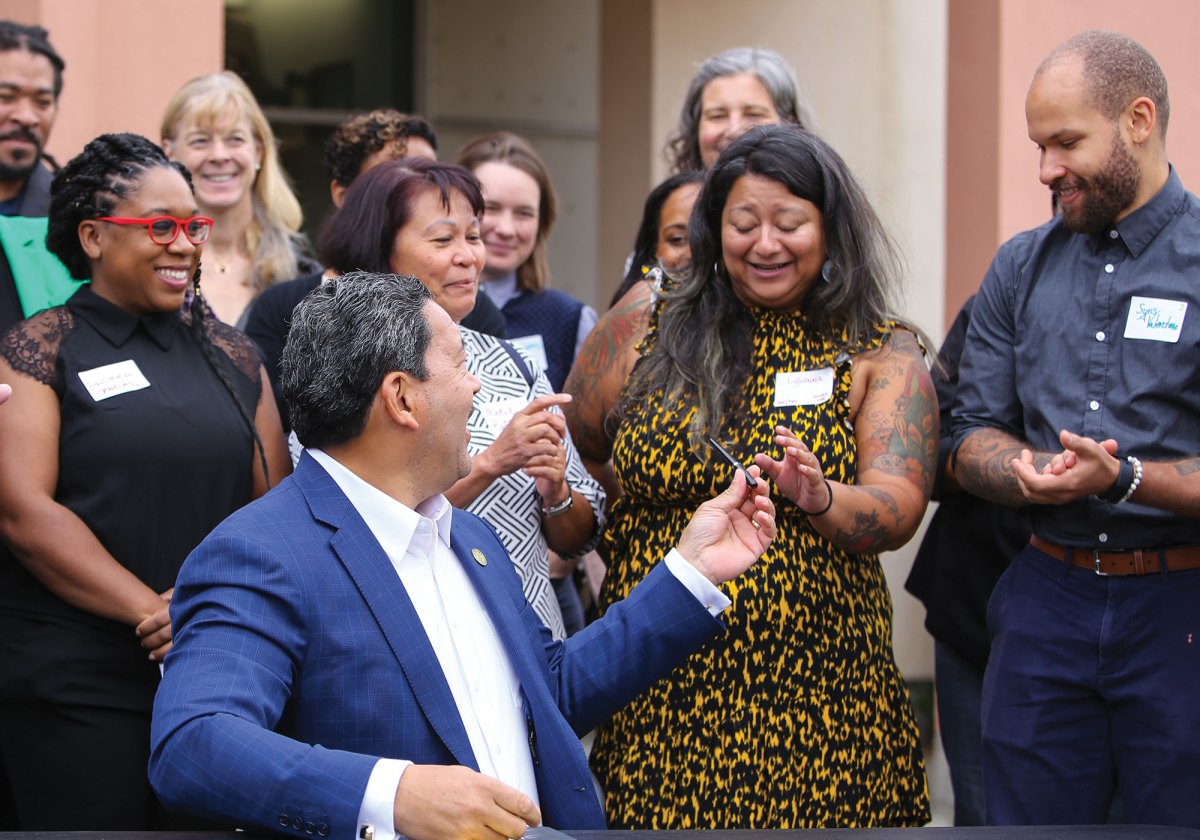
{"x": 728, "y": 535}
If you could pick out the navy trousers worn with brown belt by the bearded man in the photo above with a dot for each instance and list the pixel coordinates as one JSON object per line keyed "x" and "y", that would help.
{"x": 1093, "y": 682}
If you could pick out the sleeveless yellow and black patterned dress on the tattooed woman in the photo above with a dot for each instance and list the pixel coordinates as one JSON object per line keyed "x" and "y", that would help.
{"x": 797, "y": 717}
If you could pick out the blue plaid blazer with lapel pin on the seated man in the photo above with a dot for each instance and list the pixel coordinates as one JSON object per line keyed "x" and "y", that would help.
{"x": 299, "y": 661}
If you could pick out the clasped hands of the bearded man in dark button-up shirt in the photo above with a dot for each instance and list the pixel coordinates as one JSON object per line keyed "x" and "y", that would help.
{"x": 1084, "y": 467}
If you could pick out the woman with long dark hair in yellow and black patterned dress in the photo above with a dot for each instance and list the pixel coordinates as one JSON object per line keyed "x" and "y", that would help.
{"x": 783, "y": 340}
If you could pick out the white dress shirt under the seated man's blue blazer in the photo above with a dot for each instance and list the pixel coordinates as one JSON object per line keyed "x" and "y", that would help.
{"x": 485, "y": 688}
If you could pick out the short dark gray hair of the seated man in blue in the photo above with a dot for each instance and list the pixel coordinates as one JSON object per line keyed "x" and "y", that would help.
{"x": 346, "y": 337}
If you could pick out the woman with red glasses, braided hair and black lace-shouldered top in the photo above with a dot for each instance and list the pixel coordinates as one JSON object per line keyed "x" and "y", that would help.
{"x": 137, "y": 424}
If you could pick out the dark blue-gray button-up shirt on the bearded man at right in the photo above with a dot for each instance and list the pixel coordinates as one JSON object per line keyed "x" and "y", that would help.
{"x": 1099, "y": 335}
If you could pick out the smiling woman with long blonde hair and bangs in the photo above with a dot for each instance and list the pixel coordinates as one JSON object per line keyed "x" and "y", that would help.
{"x": 215, "y": 128}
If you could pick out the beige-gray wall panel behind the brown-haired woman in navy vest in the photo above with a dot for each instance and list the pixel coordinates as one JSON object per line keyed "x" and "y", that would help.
{"x": 530, "y": 67}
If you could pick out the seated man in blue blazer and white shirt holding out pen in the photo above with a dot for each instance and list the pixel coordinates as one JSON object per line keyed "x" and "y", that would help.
{"x": 347, "y": 664}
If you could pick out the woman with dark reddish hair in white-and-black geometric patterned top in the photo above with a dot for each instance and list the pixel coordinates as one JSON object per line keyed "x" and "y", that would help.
{"x": 422, "y": 219}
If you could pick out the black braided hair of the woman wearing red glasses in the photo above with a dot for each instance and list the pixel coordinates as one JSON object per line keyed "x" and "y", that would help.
{"x": 109, "y": 171}
